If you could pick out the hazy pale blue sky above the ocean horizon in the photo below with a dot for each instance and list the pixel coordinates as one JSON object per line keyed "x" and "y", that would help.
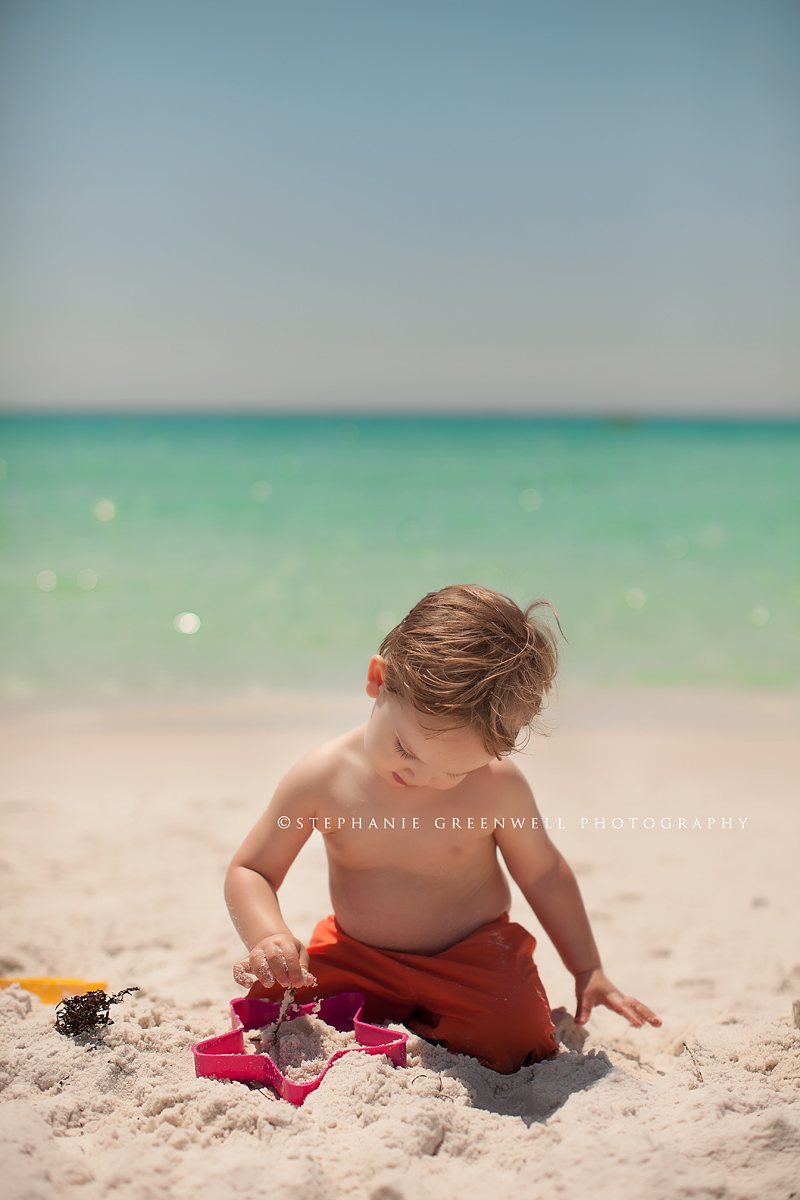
{"x": 401, "y": 206}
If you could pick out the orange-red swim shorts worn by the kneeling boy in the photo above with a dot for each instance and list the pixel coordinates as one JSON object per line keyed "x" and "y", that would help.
{"x": 480, "y": 998}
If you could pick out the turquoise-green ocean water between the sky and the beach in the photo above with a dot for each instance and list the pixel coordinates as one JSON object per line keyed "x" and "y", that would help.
{"x": 671, "y": 550}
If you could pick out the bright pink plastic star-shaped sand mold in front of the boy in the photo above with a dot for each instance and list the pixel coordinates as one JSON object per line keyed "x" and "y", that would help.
{"x": 226, "y": 1058}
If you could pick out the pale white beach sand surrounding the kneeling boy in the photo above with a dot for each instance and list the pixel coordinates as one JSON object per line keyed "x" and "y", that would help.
{"x": 117, "y": 830}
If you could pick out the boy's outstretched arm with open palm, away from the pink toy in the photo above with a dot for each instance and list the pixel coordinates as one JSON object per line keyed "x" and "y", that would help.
{"x": 552, "y": 891}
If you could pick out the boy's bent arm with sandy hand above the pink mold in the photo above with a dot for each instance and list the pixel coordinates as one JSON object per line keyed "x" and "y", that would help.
{"x": 257, "y": 872}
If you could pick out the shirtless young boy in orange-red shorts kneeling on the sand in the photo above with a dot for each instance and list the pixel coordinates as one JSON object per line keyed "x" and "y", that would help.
{"x": 414, "y": 807}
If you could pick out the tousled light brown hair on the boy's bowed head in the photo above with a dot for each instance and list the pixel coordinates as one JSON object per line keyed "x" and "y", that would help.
{"x": 473, "y": 656}
